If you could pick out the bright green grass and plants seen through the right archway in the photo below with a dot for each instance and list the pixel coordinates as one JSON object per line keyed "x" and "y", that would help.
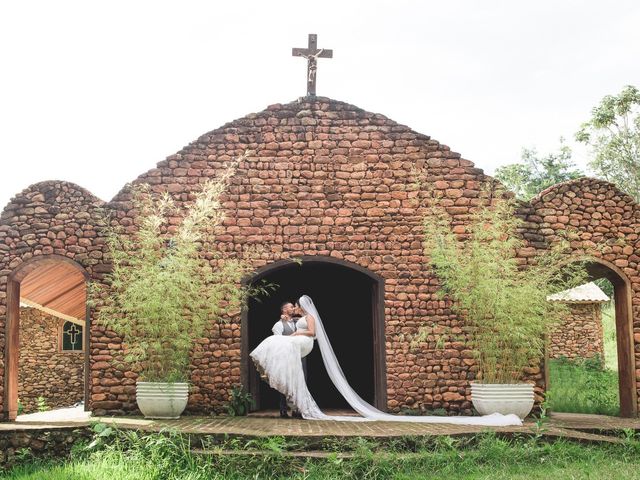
{"x": 582, "y": 386}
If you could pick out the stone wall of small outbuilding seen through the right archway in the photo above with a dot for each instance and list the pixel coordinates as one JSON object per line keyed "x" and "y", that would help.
{"x": 580, "y": 335}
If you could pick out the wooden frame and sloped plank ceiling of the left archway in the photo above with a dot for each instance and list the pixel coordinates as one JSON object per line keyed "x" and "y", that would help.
{"x": 55, "y": 286}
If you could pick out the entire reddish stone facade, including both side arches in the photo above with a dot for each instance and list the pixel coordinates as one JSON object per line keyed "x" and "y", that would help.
{"x": 322, "y": 178}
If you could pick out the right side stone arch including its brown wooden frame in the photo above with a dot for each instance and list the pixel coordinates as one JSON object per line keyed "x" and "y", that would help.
{"x": 600, "y": 225}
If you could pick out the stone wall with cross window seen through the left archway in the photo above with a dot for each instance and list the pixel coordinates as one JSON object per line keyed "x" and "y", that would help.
{"x": 45, "y": 371}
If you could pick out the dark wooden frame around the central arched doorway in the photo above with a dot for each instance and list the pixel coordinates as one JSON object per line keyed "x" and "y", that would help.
{"x": 379, "y": 344}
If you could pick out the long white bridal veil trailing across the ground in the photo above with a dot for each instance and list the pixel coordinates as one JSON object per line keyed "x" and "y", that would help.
{"x": 370, "y": 412}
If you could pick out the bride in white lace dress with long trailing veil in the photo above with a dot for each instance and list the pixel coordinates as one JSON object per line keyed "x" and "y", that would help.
{"x": 277, "y": 358}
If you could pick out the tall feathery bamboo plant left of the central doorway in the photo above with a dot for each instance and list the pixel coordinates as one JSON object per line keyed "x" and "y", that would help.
{"x": 168, "y": 283}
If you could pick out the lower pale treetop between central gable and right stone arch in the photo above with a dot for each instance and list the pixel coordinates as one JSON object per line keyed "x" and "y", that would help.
{"x": 535, "y": 173}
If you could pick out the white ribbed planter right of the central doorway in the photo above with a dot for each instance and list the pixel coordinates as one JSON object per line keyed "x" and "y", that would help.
{"x": 488, "y": 398}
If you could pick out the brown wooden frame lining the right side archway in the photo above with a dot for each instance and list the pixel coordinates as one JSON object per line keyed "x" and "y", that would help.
{"x": 597, "y": 269}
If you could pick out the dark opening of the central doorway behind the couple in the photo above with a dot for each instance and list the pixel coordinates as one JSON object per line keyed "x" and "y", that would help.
{"x": 350, "y": 300}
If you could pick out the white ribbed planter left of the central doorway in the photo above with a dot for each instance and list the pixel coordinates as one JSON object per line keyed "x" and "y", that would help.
{"x": 162, "y": 400}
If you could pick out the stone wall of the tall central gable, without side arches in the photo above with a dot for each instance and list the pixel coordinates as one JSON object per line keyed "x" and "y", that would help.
{"x": 325, "y": 178}
